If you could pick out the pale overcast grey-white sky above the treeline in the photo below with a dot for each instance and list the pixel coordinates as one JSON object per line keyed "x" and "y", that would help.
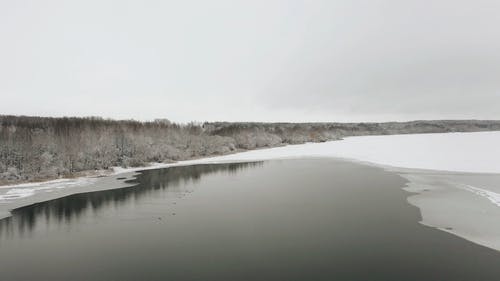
{"x": 261, "y": 60}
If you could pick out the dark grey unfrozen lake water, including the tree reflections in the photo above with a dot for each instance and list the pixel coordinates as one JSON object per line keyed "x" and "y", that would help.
{"x": 277, "y": 220}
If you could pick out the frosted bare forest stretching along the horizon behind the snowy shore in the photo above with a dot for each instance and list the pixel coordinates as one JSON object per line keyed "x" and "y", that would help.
{"x": 41, "y": 148}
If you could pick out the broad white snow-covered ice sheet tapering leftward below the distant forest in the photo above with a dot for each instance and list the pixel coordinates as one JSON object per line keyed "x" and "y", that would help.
{"x": 458, "y": 152}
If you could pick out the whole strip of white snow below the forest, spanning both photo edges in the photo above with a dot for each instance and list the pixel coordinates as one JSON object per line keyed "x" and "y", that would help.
{"x": 444, "y": 152}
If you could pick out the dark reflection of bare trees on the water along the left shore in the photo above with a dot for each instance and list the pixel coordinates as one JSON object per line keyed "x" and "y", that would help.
{"x": 66, "y": 209}
